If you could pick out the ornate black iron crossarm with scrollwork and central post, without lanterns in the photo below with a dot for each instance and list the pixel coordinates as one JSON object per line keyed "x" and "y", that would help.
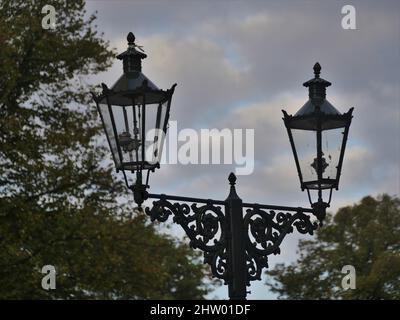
{"x": 235, "y": 245}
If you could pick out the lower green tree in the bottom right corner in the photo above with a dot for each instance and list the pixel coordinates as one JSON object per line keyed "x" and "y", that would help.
{"x": 366, "y": 236}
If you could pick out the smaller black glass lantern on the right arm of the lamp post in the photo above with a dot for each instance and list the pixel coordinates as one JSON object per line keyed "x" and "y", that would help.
{"x": 318, "y": 134}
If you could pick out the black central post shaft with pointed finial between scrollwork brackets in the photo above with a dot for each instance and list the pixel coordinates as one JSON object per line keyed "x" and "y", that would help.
{"x": 236, "y": 246}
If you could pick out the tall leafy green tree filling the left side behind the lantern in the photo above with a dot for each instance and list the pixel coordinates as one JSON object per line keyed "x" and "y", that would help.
{"x": 57, "y": 195}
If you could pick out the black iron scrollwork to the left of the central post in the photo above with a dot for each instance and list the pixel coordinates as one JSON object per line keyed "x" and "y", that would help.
{"x": 204, "y": 225}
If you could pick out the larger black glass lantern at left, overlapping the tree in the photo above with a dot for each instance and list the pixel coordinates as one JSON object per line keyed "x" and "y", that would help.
{"x": 134, "y": 113}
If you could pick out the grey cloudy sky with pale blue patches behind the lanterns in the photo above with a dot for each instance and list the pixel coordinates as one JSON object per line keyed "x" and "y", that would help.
{"x": 238, "y": 63}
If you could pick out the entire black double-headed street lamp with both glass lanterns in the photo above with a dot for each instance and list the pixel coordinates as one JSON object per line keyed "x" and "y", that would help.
{"x": 235, "y": 245}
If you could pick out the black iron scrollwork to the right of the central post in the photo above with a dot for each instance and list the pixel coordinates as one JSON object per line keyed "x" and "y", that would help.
{"x": 266, "y": 231}
